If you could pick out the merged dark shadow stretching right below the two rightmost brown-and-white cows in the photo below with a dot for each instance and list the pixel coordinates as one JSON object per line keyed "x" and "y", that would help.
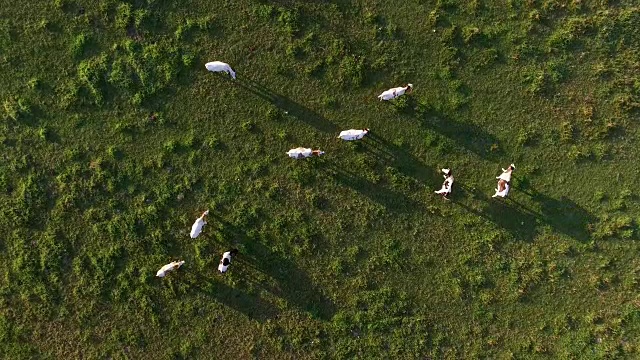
{"x": 563, "y": 215}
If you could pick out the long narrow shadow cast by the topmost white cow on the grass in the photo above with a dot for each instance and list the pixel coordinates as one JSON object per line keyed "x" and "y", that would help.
{"x": 292, "y": 108}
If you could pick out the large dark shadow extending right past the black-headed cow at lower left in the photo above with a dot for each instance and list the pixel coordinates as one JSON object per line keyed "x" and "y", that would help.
{"x": 294, "y": 284}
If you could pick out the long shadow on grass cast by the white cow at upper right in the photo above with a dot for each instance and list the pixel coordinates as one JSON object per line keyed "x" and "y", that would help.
{"x": 467, "y": 135}
